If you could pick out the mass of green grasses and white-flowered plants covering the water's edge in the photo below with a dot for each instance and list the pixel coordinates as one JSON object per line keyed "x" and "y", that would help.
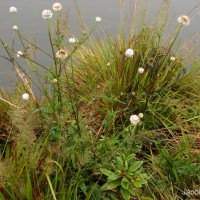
{"x": 118, "y": 118}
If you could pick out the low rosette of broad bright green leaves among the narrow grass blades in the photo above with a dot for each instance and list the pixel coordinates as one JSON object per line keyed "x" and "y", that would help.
{"x": 125, "y": 177}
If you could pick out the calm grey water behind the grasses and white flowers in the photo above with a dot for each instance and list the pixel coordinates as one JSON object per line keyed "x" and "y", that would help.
{"x": 31, "y": 24}
